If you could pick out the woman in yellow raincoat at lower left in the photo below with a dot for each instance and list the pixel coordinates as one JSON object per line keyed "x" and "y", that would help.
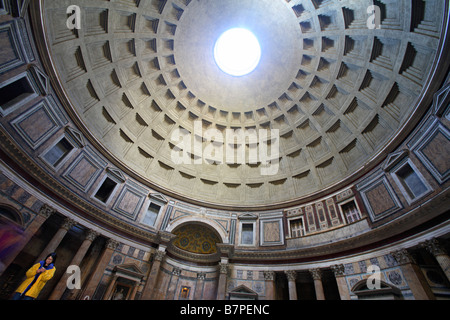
{"x": 37, "y": 277}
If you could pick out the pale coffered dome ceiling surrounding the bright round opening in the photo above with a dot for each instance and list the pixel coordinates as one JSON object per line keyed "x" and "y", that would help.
{"x": 328, "y": 99}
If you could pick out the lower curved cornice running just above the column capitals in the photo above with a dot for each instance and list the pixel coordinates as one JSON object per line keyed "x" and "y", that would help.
{"x": 434, "y": 208}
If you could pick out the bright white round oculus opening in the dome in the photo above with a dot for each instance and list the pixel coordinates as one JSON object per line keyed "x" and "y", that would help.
{"x": 237, "y": 52}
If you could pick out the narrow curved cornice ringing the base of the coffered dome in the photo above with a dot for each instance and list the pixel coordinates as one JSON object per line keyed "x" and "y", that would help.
{"x": 421, "y": 106}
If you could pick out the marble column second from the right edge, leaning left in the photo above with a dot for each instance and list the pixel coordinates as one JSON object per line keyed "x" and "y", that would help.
{"x": 413, "y": 275}
